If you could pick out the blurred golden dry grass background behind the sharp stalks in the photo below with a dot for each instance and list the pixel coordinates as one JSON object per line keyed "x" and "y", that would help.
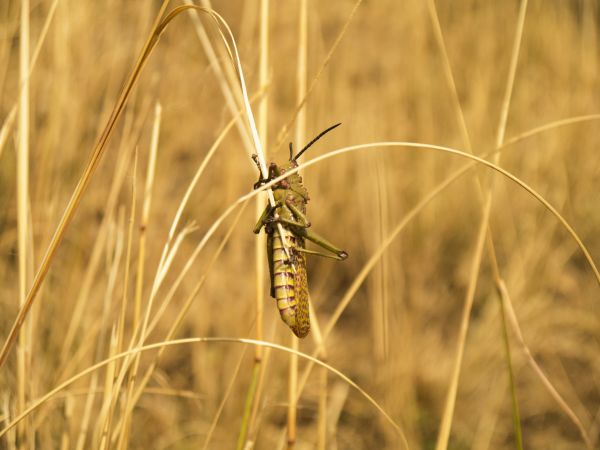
{"x": 398, "y": 337}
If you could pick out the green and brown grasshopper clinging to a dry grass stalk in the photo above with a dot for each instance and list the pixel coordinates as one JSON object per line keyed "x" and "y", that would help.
{"x": 286, "y": 251}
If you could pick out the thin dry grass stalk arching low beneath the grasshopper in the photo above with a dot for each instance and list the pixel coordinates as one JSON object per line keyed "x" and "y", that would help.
{"x": 164, "y": 344}
